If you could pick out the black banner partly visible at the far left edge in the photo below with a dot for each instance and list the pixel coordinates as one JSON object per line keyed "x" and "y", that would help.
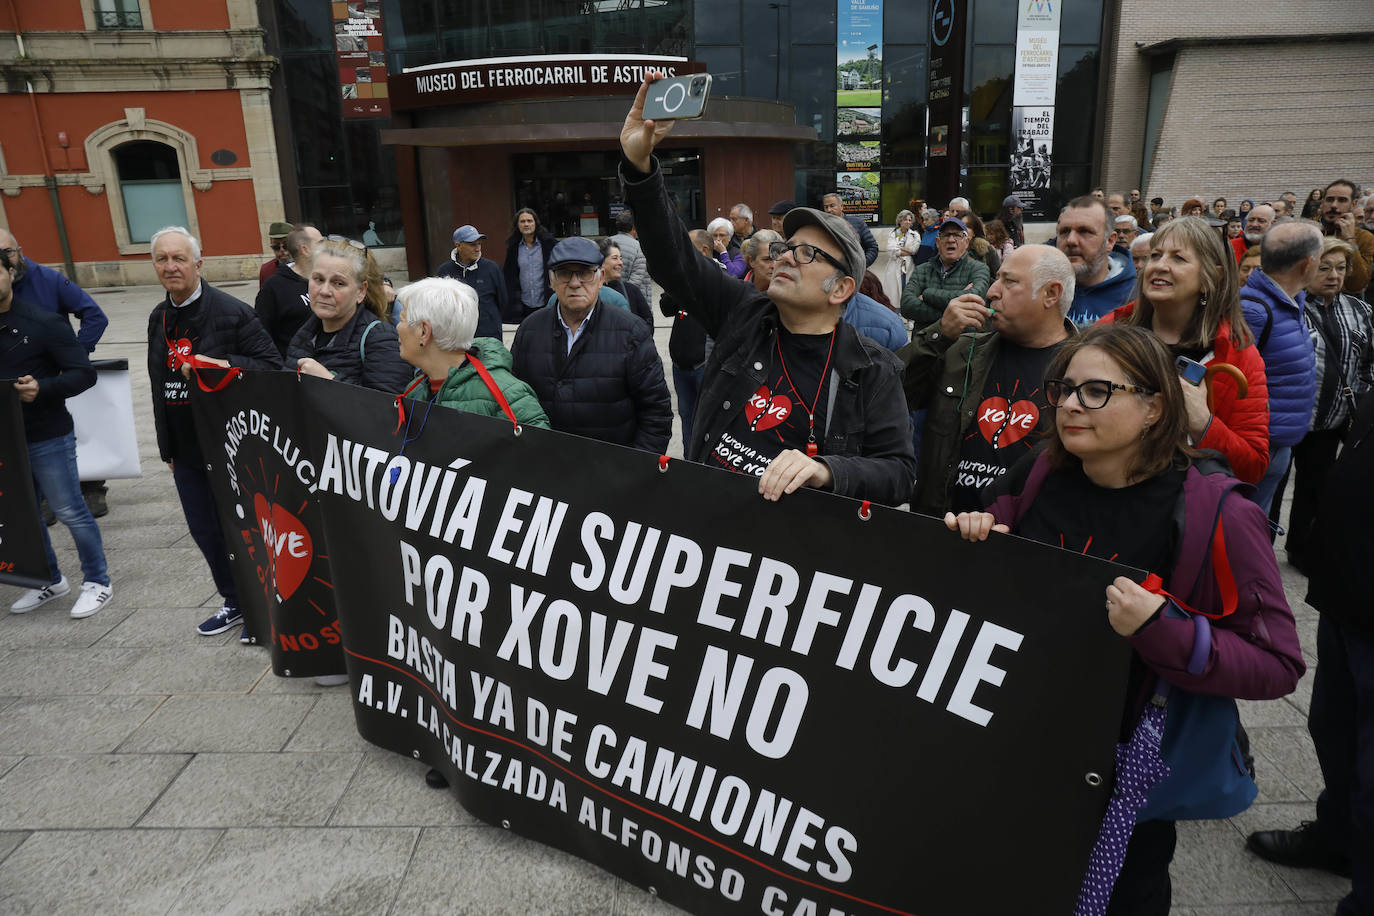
{"x": 23, "y": 560}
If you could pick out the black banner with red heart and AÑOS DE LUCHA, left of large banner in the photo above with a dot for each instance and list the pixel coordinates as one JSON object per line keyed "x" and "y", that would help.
{"x": 252, "y": 435}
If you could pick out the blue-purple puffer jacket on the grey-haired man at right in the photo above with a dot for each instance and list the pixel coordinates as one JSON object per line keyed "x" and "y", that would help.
{"x": 1289, "y": 360}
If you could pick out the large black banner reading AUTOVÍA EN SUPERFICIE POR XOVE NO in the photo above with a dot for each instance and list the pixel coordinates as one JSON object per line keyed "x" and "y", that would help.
{"x": 806, "y": 707}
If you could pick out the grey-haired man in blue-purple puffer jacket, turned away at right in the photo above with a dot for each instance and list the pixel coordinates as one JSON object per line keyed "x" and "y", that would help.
{"x": 1273, "y": 301}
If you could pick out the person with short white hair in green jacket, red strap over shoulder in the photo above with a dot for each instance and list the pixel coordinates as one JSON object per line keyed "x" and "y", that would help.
{"x": 439, "y": 322}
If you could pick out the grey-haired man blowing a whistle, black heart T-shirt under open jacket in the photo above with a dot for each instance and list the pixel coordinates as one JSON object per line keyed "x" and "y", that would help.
{"x": 979, "y": 373}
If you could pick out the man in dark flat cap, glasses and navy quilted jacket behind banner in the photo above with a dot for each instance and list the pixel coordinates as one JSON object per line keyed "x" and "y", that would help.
{"x": 594, "y": 366}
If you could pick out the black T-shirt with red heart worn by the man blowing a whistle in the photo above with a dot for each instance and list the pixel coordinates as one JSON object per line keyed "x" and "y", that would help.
{"x": 1008, "y": 421}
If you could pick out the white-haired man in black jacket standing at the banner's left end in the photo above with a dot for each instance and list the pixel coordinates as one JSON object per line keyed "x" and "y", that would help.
{"x": 197, "y": 326}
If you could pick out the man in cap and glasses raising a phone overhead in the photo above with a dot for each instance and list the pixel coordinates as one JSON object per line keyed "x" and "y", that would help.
{"x": 792, "y": 393}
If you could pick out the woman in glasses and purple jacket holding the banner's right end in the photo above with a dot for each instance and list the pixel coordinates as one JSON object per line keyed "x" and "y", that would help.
{"x": 1210, "y": 626}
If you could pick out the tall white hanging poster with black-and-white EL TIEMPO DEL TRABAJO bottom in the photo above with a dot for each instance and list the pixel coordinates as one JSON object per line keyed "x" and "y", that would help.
{"x": 1033, "y": 113}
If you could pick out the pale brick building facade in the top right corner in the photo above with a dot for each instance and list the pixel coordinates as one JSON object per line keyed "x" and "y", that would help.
{"x": 1261, "y": 102}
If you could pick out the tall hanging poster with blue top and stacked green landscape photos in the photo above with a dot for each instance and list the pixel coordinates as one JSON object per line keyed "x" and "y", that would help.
{"x": 859, "y": 108}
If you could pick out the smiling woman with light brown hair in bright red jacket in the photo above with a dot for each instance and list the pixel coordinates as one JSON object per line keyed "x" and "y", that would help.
{"x": 1189, "y": 297}
